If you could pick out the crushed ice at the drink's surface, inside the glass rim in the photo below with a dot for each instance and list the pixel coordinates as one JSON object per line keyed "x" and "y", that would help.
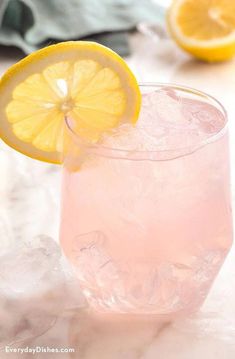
{"x": 167, "y": 122}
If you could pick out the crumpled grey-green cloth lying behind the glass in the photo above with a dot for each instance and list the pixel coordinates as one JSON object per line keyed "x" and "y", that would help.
{"x": 31, "y": 24}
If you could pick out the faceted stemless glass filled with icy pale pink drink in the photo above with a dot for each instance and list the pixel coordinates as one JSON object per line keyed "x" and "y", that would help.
{"x": 146, "y": 220}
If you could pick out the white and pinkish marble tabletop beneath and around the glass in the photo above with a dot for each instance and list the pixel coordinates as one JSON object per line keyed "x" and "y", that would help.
{"x": 30, "y": 206}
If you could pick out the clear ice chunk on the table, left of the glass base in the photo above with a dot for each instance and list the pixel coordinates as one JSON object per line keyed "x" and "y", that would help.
{"x": 29, "y": 268}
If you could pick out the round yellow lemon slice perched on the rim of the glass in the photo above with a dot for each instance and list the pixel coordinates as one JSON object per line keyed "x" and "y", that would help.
{"x": 83, "y": 81}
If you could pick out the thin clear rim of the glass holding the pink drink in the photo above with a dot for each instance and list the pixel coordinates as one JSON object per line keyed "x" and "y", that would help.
{"x": 160, "y": 155}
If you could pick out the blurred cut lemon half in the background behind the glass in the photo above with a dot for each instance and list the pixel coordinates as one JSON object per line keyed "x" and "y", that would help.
{"x": 204, "y": 28}
